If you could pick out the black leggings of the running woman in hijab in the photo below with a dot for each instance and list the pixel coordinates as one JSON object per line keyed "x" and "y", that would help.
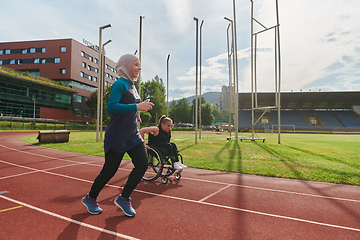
{"x": 113, "y": 159}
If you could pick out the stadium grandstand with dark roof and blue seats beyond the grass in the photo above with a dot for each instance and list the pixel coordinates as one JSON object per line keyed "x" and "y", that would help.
{"x": 301, "y": 111}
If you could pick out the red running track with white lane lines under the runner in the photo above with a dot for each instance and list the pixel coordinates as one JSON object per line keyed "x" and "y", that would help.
{"x": 41, "y": 189}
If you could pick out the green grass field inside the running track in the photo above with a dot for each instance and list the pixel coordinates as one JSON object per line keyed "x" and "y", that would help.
{"x": 331, "y": 158}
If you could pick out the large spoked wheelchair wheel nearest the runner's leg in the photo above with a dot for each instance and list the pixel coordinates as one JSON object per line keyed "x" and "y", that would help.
{"x": 155, "y": 165}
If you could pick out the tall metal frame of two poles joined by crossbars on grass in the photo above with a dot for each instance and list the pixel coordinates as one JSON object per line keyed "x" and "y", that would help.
{"x": 254, "y": 102}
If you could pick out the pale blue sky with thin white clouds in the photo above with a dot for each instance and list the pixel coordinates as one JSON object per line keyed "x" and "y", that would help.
{"x": 320, "y": 40}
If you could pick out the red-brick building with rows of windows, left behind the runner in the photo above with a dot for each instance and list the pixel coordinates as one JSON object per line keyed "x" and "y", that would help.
{"x": 63, "y": 60}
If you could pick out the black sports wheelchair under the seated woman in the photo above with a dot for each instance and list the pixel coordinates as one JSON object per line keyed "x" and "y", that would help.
{"x": 161, "y": 165}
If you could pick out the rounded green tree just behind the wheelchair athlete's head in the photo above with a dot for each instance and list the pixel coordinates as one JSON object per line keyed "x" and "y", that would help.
{"x": 180, "y": 111}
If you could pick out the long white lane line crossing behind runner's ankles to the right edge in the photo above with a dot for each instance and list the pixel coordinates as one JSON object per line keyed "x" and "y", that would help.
{"x": 211, "y": 204}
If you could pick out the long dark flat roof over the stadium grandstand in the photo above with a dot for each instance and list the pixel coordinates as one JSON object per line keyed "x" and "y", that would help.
{"x": 304, "y": 100}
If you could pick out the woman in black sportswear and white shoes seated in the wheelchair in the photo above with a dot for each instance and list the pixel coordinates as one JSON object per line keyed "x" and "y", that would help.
{"x": 160, "y": 137}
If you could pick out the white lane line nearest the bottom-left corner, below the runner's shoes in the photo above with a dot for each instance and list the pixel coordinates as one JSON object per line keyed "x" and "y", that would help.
{"x": 69, "y": 219}
